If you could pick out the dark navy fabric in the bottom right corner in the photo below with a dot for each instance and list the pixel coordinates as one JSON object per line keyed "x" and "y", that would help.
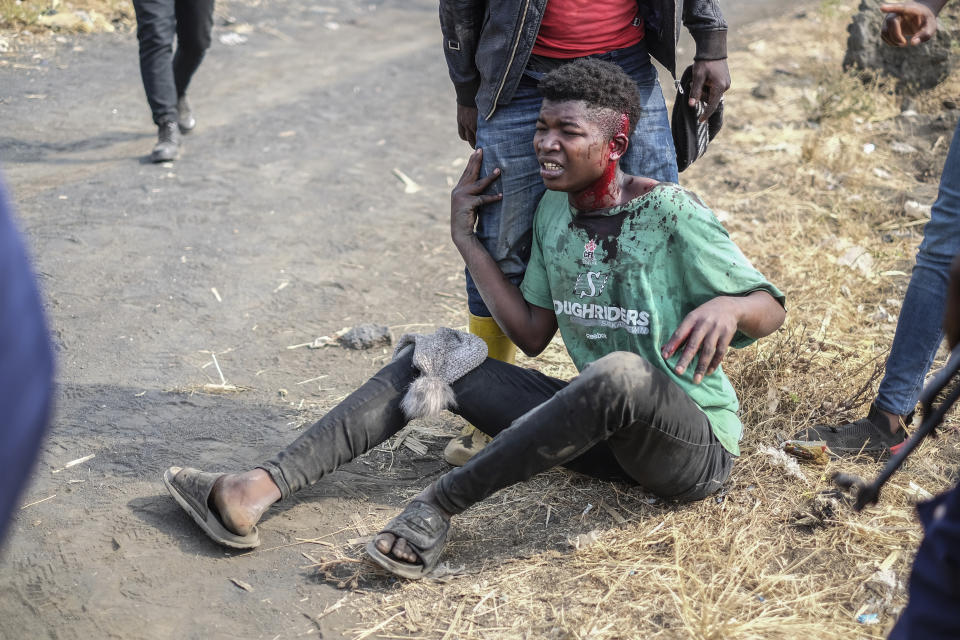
{"x": 932, "y": 612}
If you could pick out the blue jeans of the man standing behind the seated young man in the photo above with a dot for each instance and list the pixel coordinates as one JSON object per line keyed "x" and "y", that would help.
{"x": 504, "y": 227}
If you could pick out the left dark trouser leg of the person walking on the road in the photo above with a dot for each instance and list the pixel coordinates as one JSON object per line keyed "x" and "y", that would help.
{"x": 156, "y": 27}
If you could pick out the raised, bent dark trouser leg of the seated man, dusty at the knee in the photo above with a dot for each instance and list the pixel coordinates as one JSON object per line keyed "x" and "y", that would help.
{"x": 659, "y": 437}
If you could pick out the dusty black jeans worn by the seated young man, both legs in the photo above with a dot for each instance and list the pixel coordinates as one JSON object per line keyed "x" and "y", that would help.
{"x": 621, "y": 419}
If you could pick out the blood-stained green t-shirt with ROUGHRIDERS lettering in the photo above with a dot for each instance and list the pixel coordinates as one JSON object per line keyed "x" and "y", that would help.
{"x": 624, "y": 280}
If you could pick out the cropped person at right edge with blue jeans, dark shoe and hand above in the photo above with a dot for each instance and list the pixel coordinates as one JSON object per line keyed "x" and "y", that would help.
{"x": 919, "y": 330}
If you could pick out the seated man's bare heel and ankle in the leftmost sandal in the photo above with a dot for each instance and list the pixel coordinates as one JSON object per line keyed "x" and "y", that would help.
{"x": 240, "y": 499}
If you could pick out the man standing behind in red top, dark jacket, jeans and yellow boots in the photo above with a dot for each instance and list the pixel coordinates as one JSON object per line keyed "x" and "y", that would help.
{"x": 497, "y": 52}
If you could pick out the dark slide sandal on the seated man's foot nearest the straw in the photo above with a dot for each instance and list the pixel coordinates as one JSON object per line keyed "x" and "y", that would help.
{"x": 425, "y": 530}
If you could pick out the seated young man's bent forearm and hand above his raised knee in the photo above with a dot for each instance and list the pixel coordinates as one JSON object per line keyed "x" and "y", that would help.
{"x": 708, "y": 329}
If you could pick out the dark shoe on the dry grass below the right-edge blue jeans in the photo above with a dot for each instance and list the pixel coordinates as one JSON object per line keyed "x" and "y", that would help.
{"x": 868, "y": 436}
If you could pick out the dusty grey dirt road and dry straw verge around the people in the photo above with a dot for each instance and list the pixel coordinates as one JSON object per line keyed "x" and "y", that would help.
{"x": 284, "y": 222}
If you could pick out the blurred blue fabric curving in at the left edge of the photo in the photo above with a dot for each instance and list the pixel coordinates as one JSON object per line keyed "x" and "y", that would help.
{"x": 26, "y": 367}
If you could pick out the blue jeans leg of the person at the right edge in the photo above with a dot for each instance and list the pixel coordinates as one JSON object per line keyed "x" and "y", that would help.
{"x": 919, "y": 328}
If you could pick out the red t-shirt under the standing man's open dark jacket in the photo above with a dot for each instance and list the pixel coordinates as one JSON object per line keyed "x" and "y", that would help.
{"x": 576, "y": 28}
